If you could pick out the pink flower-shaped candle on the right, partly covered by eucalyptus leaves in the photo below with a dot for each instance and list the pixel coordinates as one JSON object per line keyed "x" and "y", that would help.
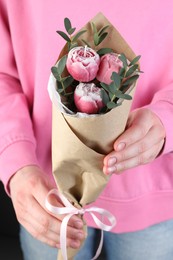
{"x": 108, "y": 64}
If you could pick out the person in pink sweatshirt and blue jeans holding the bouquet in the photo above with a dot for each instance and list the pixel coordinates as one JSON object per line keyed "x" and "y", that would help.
{"x": 140, "y": 192}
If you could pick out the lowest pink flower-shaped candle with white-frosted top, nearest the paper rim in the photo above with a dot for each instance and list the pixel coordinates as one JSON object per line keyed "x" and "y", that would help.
{"x": 87, "y": 98}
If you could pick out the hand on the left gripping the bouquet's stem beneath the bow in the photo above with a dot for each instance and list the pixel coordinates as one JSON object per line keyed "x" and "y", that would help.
{"x": 29, "y": 188}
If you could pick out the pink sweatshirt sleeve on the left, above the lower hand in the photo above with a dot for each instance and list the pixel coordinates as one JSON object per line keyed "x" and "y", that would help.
{"x": 17, "y": 141}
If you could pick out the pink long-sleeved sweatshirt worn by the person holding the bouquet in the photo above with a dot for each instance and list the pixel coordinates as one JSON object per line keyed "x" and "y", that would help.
{"x": 29, "y": 46}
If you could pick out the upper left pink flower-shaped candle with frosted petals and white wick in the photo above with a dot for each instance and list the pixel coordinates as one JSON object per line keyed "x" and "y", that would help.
{"x": 83, "y": 63}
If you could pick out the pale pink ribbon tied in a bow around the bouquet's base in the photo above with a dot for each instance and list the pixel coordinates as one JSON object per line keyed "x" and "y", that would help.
{"x": 70, "y": 210}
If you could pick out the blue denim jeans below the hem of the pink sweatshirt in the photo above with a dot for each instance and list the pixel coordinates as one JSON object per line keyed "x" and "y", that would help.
{"x": 153, "y": 243}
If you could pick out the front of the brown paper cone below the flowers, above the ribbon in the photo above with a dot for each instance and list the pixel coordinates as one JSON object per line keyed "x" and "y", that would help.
{"x": 78, "y": 149}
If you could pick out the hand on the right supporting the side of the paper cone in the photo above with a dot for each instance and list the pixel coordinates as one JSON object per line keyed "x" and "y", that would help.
{"x": 140, "y": 144}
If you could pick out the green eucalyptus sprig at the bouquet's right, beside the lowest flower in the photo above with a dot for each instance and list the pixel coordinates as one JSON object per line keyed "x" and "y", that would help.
{"x": 121, "y": 81}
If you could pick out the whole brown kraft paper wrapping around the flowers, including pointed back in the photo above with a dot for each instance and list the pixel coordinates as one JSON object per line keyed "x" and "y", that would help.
{"x": 80, "y": 144}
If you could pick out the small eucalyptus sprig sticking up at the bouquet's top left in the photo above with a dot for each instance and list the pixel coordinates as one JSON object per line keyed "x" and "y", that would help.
{"x": 68, "y": 35}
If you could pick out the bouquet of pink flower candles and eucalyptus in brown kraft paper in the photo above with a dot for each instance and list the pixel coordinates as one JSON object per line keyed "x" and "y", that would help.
{"x": 91, "y": 87}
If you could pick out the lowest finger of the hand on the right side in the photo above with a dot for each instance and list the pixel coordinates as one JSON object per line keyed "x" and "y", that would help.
{"x": 141, "y": 159}
